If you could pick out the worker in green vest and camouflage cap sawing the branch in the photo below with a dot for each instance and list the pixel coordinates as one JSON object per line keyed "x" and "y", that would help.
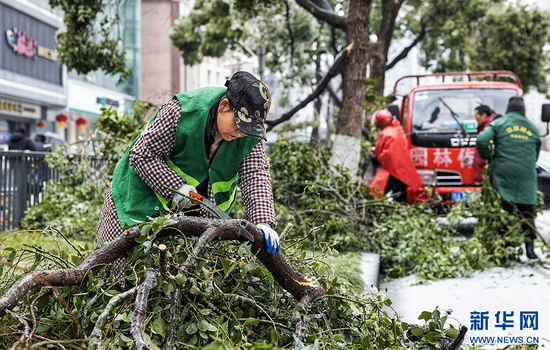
{"x": 208, "y": 141}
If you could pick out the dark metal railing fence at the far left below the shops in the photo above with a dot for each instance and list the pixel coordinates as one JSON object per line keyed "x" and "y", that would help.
{"x": 23, "y": 178}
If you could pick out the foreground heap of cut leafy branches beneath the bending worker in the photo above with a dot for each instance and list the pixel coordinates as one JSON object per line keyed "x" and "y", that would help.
{"x": 188, "y": 292}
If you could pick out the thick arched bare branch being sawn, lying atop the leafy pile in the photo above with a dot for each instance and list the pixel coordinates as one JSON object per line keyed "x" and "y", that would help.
{"x": 289, "y": 279}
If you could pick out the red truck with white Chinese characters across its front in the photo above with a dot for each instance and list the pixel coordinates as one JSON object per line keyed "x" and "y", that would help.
{"x": 438, "y": 118}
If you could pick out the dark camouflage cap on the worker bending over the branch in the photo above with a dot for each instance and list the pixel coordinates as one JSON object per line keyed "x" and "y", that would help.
{"x": 251, "y": 100}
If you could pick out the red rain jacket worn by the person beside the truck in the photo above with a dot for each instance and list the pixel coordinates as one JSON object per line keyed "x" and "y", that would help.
{"x": 395, "y": 159}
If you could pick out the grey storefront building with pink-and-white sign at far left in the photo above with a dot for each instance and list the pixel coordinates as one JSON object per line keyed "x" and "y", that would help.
{"x": 32, "y": 83}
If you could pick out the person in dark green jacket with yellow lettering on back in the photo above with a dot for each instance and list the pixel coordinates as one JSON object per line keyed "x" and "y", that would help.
{"x": 516, "y": 150}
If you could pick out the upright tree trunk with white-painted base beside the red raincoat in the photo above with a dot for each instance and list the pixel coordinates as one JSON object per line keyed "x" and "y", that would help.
{"x": 347, "y": 143}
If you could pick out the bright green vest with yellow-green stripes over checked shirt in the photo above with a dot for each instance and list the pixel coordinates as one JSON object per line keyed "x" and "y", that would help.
{"x": 135, "y": 201}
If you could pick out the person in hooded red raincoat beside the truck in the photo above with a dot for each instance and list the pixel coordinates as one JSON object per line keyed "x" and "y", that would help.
{"x": 396, "y": 171}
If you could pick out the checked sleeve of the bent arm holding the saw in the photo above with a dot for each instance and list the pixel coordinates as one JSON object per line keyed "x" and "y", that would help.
{"x": 148, "y": 155}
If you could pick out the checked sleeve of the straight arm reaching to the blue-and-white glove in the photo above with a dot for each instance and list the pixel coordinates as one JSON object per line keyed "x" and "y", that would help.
{"x": 255, "y": 185}
